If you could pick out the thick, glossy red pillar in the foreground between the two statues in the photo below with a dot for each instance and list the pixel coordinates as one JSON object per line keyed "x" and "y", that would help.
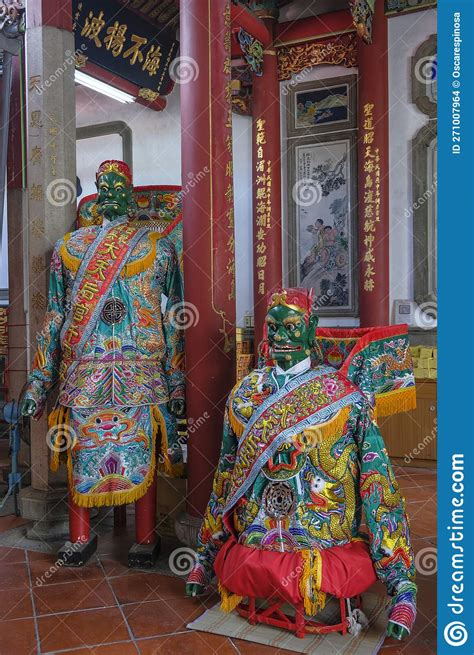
{"x": 208, "y": 235}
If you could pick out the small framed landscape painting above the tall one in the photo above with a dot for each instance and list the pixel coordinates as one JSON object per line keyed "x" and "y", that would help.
{"x": 322, "y": 106}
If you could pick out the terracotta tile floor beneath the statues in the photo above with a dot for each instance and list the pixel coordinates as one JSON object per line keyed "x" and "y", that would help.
{"x": 106, "y": 609}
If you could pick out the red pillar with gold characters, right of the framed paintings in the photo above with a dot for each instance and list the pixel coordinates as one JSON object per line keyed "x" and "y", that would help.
{"x": 374, "y": 289}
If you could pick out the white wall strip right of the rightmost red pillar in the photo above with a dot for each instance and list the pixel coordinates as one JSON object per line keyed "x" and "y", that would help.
{"x": 405, "y": 33}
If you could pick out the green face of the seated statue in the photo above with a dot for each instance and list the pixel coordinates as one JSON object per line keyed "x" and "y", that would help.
{"x": 289, "y": 336}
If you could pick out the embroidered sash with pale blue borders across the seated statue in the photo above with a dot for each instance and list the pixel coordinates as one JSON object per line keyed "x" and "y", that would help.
{"x": 310, "y": 399}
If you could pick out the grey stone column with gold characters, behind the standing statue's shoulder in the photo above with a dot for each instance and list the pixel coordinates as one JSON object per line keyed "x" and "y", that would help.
{"x": 51, "y": 192}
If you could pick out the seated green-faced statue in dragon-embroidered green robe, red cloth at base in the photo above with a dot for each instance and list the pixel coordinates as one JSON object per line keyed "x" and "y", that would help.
{"x": 302, "y": 460}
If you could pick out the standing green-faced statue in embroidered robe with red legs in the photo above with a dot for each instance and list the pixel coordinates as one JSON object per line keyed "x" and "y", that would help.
{"x": 110, "y": 341}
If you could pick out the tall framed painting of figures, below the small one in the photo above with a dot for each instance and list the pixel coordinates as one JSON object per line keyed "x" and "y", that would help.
{"x": 322, "y": 220}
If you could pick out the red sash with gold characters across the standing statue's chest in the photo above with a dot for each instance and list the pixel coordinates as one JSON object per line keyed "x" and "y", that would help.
{"x": 99, "y": 269}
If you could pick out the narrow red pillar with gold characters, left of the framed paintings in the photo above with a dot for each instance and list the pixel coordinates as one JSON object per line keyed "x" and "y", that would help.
{"x": 266, "y": 164}
